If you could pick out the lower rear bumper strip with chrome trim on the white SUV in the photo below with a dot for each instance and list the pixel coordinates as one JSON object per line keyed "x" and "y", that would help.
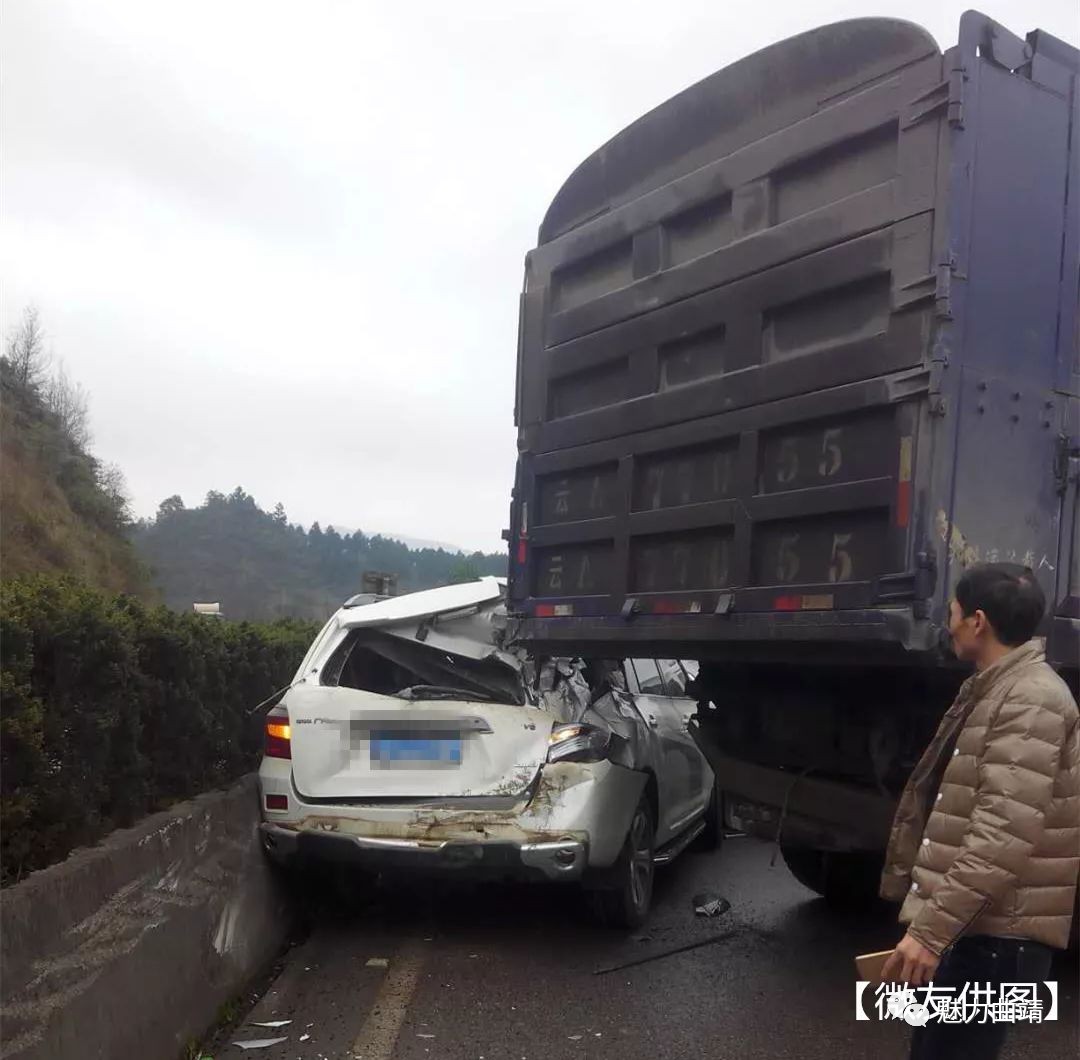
{"x": 553, "y": 861}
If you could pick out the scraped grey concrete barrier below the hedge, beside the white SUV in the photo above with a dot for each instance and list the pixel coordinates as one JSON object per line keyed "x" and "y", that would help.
{"x": 126, "y": 951}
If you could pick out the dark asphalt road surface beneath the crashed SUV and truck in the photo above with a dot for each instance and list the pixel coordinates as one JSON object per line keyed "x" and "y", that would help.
{"x": 498, "y": 973}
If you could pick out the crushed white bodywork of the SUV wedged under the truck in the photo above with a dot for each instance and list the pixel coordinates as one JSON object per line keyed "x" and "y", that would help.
{"x": 403, "y": 757}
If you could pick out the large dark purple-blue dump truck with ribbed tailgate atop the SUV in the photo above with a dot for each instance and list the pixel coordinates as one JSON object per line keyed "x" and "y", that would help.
{"x": 796, "y": 348}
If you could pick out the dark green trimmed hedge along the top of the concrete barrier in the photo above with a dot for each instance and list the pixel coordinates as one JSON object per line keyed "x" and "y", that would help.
{"x": 111, "y": 710}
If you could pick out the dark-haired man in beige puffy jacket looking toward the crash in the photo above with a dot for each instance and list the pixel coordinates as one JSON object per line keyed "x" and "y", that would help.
{"x": 985, "y": 844}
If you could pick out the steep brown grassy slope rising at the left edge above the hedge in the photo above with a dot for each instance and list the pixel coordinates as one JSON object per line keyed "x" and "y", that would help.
{"x": 59, "y": 512}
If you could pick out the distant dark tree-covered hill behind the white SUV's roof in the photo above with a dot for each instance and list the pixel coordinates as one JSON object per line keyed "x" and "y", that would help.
{"x": 259, "y": 566}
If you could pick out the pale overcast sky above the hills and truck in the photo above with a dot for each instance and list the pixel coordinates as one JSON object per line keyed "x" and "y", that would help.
{"x": 281, "y": 244}
